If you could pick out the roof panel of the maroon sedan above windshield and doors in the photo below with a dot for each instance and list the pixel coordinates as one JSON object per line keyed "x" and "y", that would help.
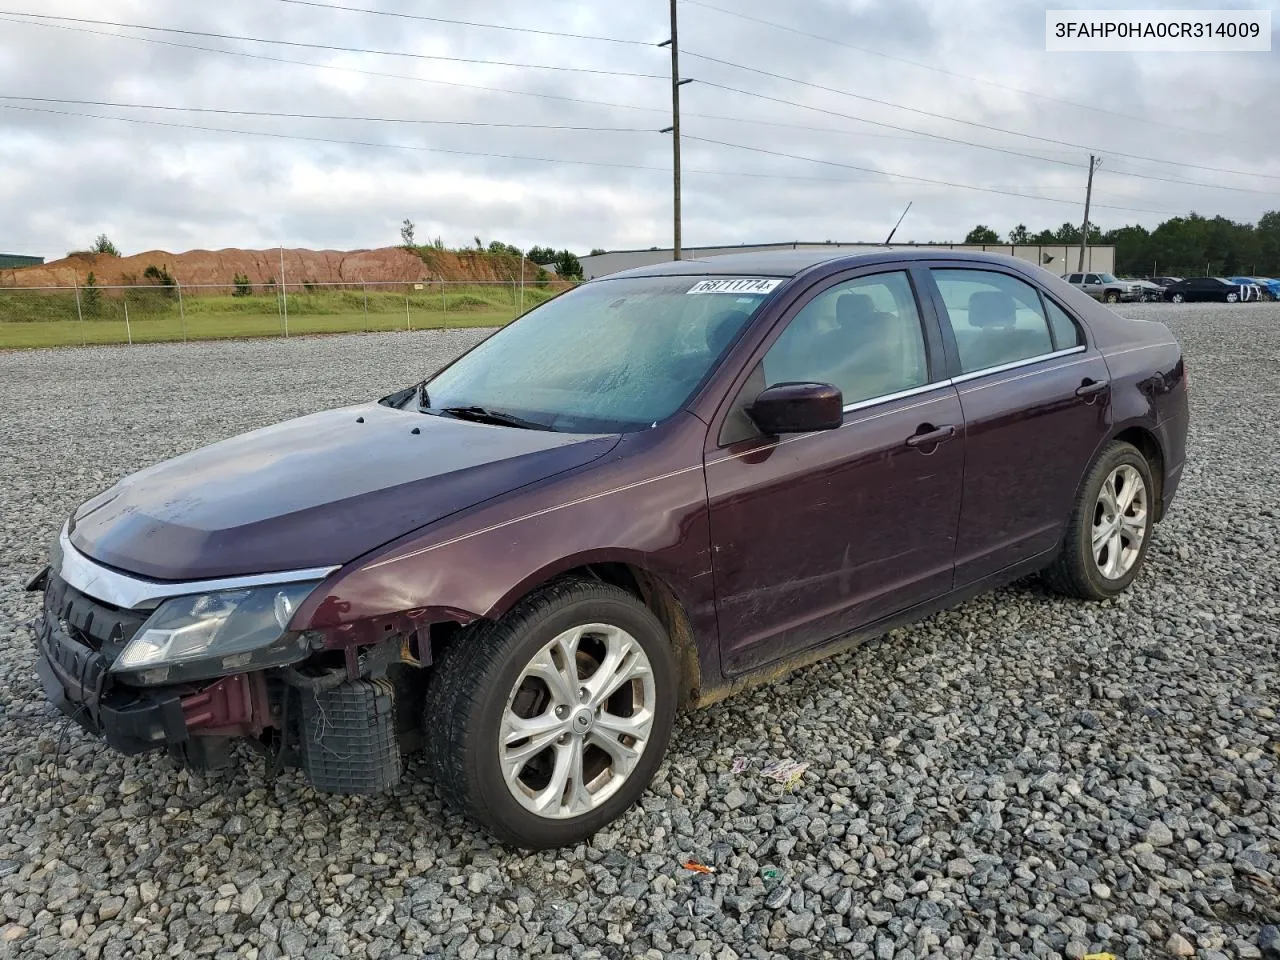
{"x": 793, "y": 263}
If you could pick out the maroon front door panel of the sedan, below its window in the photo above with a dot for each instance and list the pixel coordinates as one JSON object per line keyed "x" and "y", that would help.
{"x": 822, "y": 533}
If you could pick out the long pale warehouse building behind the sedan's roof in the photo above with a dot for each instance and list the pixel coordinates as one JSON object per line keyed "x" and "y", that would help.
{"x": 1057, "y": 258}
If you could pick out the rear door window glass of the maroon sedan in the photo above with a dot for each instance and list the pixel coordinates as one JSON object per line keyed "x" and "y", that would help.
{"x": 996, "y": 319}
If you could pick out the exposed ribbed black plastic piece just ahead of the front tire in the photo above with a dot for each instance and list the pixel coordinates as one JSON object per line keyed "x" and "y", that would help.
{"x": 348, "y": 738}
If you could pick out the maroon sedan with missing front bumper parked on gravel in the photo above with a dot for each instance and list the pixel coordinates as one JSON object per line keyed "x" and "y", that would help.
{"x": 642, "y": 497}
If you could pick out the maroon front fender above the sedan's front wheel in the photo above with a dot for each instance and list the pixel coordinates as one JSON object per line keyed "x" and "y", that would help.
{"x": 644, "y": 505}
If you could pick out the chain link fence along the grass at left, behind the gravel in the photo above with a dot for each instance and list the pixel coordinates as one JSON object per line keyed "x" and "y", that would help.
{"x": 80, "y": 316}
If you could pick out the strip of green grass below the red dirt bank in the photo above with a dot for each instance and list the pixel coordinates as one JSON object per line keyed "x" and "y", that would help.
{"x": 51, "y": 319}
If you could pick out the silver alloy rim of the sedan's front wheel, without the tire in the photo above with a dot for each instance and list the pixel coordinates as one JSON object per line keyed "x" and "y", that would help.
{"x": 578, "y": 721}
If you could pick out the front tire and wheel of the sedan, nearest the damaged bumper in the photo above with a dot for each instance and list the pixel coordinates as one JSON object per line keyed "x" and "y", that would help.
{"x": 547, "y": 725}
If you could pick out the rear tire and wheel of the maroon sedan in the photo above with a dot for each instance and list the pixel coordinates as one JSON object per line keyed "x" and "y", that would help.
{"x": 1110, "y": 528}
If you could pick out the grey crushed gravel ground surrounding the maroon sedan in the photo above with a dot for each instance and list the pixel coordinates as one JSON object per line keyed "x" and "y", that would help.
{"x": 1022, "y": 776}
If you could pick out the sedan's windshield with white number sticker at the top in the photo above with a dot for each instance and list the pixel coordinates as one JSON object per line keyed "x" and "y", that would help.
{"x": 611, "y": 356}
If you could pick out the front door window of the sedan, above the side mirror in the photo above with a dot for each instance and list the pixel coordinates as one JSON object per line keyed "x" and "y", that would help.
{"x": 862, "y": 336}
